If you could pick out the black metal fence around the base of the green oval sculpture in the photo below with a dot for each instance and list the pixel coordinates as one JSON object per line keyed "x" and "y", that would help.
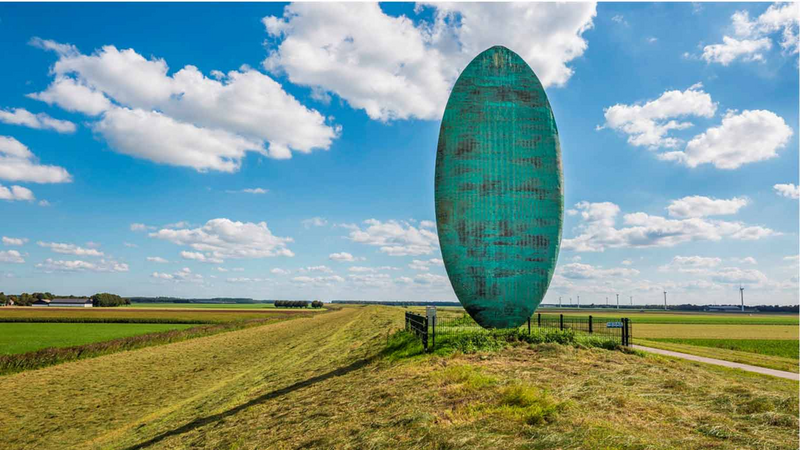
{"x": 612, "y": 329}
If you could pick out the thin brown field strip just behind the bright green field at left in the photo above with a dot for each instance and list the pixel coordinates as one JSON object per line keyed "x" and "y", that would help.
{"x": 138, "y": 315}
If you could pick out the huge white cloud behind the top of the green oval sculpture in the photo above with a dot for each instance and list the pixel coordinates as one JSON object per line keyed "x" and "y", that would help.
{"x": 393, "y": 69}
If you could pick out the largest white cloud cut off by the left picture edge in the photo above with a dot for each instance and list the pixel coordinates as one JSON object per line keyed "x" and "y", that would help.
{"x": 18, "y": 163}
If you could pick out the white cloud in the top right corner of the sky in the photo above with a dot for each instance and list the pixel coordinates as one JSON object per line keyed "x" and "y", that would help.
{"x": 754, "y": 35}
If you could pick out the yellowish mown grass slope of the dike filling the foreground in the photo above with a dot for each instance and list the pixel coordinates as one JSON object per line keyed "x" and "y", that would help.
{"x": 338, "y": 380}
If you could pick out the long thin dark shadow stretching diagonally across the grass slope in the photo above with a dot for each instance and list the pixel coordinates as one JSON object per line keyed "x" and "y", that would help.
{"x": 199, "y": 422}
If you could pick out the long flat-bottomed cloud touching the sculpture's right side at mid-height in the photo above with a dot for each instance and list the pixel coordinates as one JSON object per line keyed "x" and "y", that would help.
{"x": 597, "y": 230}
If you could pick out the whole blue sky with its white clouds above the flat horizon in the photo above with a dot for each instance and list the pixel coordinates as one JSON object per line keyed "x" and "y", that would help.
{"x": 287, "y": 151}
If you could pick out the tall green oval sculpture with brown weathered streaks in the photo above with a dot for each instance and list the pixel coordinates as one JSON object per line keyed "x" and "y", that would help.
{"x": 499, "y": 189}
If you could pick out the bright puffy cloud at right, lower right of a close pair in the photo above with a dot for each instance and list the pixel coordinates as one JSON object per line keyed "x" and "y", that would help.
{"x": 741, "y": 139}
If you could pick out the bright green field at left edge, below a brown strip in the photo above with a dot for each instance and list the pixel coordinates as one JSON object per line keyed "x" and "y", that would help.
{"x": 27, "y": 337}
